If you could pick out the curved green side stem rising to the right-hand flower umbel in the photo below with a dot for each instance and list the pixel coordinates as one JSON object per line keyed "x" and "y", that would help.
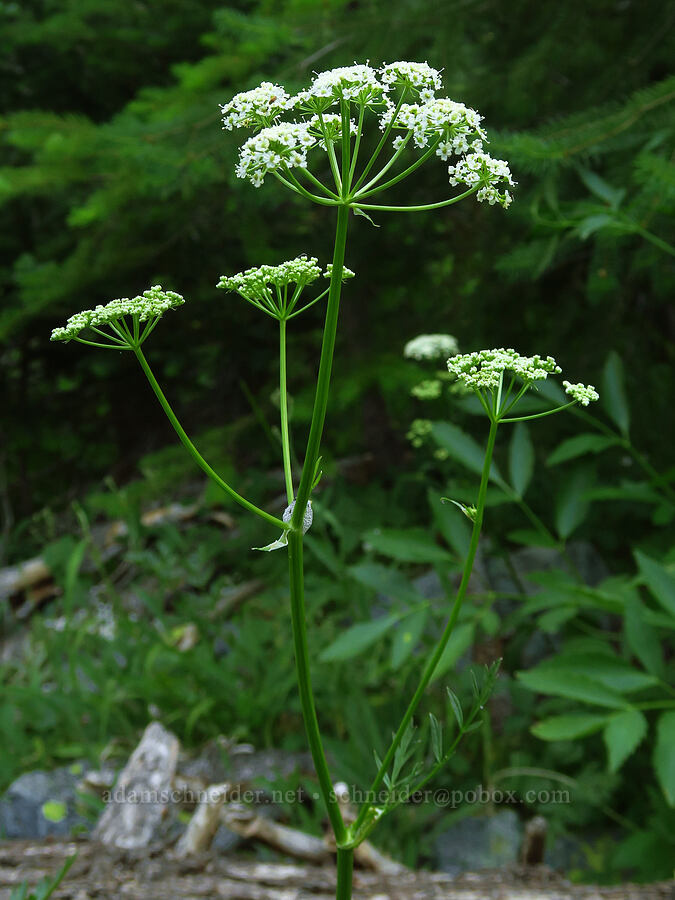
{"x": 454, "y": 614}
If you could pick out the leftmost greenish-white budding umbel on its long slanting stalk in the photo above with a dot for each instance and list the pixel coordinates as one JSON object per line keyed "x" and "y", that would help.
{"x": 152, "y": 304}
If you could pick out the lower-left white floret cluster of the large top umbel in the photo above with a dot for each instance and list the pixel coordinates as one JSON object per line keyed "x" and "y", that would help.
{"x": 277, "y": 148}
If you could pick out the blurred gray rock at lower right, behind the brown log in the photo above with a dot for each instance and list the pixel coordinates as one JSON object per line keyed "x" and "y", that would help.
{"x": 479, "y": 842}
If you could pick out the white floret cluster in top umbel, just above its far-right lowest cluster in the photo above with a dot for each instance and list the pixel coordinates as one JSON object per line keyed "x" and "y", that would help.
{"x": 457, "y": 126}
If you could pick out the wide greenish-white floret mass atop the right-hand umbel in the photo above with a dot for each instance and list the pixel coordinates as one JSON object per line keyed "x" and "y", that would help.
{"x": 483, "y": 369}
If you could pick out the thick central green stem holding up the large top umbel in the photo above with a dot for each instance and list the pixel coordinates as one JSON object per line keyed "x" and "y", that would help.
{"x": 295, "y": 553}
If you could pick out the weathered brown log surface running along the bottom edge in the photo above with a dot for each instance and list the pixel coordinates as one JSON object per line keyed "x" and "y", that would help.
{"x": 102, "y": 874}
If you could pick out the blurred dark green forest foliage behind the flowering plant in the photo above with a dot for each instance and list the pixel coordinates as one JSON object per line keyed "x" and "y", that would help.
{"x": 115, "y": 175}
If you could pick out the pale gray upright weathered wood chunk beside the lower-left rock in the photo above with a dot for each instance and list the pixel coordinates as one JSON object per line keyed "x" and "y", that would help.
{"x": 143, "y": 791}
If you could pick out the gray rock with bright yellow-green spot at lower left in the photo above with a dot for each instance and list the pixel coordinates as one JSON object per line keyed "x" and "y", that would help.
{"x": 24, "y": 804}
